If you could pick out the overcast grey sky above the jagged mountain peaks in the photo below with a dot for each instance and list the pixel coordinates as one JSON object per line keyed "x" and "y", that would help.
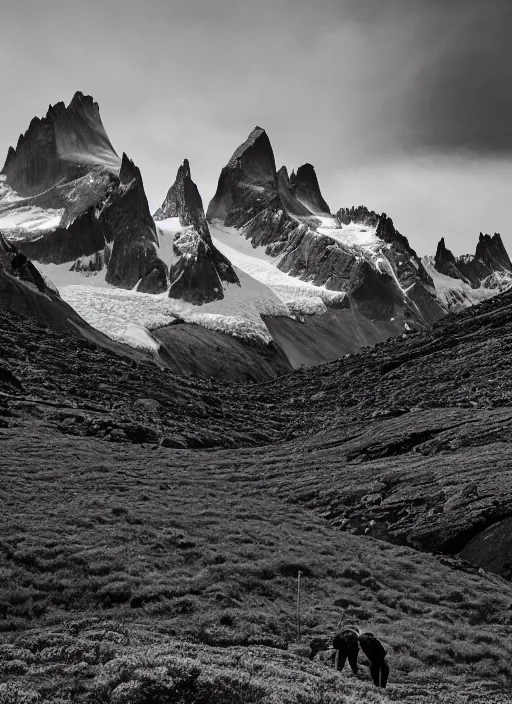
{"x": 402, "y": 105}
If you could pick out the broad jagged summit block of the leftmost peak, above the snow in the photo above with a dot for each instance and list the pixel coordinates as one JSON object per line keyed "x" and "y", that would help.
{"x": 64, "y": 144}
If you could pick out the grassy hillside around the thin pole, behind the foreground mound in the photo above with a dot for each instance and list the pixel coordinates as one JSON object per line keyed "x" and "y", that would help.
{"x": 194, "y": 546}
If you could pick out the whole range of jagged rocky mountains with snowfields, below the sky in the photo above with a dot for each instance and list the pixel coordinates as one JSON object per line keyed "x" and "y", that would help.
{"x": 269, "y": 269}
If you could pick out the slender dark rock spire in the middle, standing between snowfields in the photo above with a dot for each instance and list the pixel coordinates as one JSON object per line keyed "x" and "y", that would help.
{"x": 201, "y": 270}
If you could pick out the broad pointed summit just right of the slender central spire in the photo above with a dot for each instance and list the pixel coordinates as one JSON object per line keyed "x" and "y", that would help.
{"x": 247, "y": 184}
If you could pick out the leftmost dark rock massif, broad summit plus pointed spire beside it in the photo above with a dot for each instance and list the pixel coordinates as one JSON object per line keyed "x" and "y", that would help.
{"x": 65, "y": 161}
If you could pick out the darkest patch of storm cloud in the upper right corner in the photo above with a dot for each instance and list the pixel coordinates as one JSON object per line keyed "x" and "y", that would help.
{"x": 463, "y": 96}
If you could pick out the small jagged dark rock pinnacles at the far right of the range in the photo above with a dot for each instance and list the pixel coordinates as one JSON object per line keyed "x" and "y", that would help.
{"x": 490, "y": 258}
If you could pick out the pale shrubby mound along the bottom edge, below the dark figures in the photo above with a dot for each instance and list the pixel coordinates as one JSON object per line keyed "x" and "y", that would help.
{"x": 102, "y": 662}
